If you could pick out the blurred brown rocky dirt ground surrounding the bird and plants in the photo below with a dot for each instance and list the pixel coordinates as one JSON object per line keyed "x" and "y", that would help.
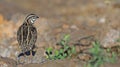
{"x": 79, "y": 18}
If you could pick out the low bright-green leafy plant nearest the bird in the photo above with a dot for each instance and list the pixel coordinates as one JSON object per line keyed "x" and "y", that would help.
{"x": 64, "y": 52}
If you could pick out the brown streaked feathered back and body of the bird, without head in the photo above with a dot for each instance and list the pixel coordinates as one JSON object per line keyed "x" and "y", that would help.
{"x": 27, "y": 36}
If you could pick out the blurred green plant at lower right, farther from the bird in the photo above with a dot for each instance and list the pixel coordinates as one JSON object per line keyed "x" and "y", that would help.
{"x": 99, "y": 56}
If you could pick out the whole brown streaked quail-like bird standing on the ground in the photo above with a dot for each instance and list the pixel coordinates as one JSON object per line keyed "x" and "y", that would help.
{"x": 27, "y": 36}
